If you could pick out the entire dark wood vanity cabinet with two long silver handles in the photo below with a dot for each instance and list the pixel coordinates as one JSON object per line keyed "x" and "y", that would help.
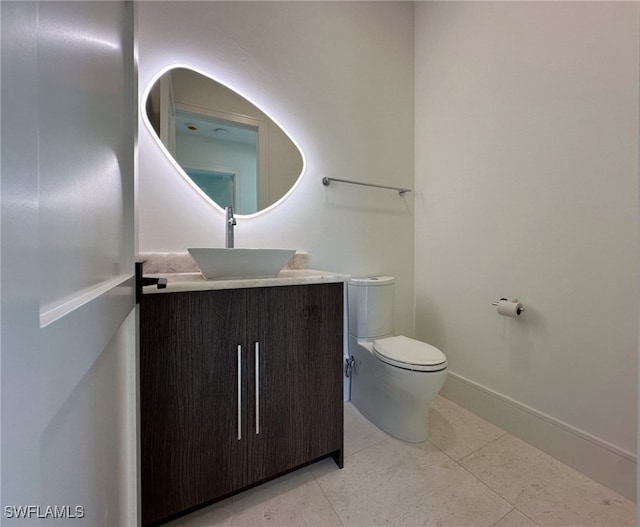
{"x": 236, "y": 387}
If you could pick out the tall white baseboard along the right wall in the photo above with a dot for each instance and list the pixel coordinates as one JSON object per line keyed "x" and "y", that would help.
{"x": 601, "y": 461}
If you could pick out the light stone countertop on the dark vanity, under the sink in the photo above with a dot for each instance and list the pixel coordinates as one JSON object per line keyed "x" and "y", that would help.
{"x": 182, "y": 282}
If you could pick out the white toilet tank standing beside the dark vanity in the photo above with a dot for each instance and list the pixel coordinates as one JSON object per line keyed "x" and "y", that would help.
{"x": 370, "y": 302}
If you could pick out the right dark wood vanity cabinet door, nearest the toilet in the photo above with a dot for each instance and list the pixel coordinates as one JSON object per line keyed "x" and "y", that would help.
{"x": 299, "y": 408}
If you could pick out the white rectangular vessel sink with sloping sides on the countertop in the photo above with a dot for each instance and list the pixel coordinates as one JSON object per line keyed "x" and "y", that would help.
{"x": 220, "y": 263}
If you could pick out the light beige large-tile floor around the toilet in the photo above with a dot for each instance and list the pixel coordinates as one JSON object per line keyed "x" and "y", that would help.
{"x": 469, "y": 473}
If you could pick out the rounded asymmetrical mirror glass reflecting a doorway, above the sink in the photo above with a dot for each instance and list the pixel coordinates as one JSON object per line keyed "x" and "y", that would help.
{"x": 231, "y": 150}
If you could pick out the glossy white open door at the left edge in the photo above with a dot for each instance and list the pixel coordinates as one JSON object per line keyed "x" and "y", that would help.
{"x": 68, "y": 344}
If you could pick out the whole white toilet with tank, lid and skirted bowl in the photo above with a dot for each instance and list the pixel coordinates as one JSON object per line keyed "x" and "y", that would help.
{"x": 393, "y": 379}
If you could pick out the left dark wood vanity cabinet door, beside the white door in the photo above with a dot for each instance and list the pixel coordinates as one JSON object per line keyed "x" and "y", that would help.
{"x": 189, "y": 399}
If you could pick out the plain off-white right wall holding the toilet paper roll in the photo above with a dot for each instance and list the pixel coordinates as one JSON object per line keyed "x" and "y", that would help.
{"x": 526, "y": 179}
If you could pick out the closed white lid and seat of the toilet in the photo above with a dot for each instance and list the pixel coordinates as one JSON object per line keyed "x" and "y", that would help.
{"x": 409, "y": 354}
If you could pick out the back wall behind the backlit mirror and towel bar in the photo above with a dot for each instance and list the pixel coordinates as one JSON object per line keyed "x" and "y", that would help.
{"x": 338, "y": 77}
